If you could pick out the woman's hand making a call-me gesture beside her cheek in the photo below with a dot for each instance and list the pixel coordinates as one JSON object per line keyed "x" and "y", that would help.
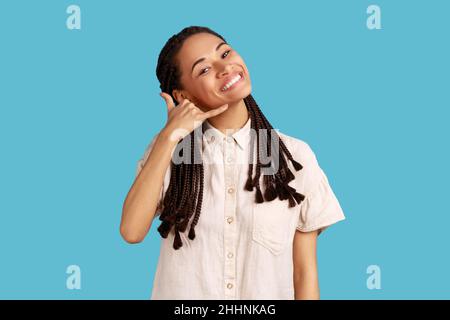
{"x": 184, "y": 118}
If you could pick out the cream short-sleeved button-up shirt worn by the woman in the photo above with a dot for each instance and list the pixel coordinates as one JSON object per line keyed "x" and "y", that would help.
{"x": 242, "y": 250}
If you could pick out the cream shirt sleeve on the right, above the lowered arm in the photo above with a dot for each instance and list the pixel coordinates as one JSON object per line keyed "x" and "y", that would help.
{"x": 320, "y": 208}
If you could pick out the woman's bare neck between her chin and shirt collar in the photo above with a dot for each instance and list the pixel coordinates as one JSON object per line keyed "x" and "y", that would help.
{"x": 232, "y": 119}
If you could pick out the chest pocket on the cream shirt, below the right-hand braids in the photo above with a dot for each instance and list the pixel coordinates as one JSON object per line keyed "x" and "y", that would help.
{"x": 273, "y": 223}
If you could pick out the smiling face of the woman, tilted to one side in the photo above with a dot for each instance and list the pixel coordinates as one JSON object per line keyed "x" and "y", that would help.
{"x": 212, "y": 73}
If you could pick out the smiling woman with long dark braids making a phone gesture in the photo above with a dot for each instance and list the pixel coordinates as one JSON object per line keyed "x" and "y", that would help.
{"x": 242, "y": 222}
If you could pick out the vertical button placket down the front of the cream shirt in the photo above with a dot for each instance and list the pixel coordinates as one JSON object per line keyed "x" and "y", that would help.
{"x": 230, "y": 218}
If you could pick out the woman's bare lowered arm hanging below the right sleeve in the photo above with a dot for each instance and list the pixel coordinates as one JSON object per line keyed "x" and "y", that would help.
{"x": 306, "y": 280}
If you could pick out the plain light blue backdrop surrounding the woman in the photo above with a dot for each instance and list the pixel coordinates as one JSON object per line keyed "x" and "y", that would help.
{"x": 78, "y": 108}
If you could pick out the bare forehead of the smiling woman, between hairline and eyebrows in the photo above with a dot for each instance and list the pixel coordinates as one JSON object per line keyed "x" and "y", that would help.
{"x": 197, "y": 46}
